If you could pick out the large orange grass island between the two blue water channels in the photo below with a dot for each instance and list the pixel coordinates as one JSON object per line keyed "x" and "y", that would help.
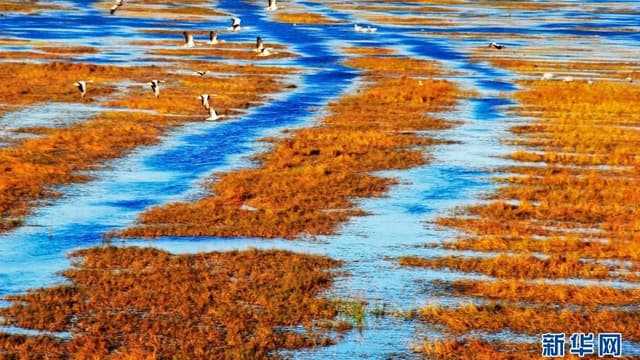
{"x": 307, "y": 183}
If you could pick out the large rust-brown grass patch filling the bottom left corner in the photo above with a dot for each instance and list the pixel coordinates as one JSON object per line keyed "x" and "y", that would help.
{"x": 146, "y": 303}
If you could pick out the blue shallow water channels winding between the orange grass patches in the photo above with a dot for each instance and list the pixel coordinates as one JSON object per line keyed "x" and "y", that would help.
{"x": 399, "y": 222}
